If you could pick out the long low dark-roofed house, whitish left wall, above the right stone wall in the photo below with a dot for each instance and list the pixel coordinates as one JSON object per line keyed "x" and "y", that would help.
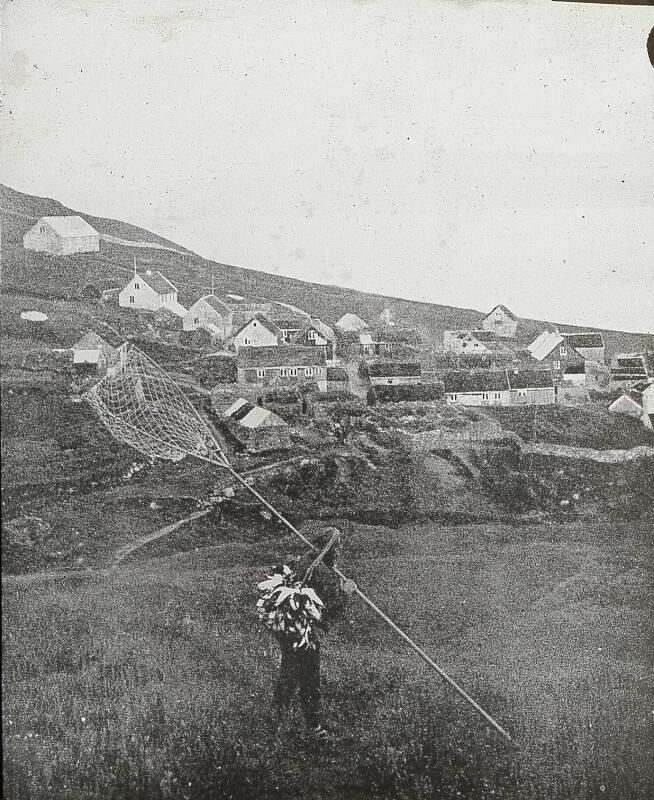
{"x": 506, "y": 387}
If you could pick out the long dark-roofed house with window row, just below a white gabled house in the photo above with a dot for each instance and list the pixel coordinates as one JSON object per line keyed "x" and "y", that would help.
{"x": 285, "y": 364}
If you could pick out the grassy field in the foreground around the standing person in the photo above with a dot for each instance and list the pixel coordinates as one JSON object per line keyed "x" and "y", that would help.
{"x": 153, "y": 680}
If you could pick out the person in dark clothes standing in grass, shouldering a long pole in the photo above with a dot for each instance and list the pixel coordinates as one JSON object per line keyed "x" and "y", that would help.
{"x": 300, "y": 668}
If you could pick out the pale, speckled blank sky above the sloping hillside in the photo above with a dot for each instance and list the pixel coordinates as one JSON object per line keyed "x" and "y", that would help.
{"x": 453, "y": 151}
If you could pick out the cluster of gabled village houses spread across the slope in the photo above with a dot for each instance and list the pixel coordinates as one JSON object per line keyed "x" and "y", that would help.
{"x": 263, "y": 364}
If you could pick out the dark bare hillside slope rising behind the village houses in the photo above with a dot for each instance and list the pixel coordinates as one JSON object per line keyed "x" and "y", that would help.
{"x": 33, "y": 274}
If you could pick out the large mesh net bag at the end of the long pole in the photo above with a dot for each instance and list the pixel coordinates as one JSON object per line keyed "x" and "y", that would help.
{"x": 142, "y": 406}
